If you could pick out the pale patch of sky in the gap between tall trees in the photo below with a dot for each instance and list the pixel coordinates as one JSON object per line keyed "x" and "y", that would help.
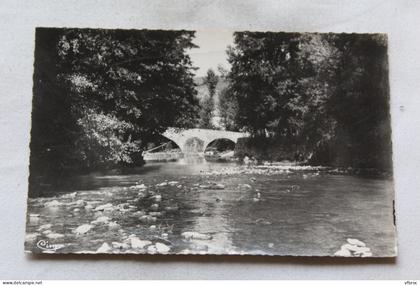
{"x": 212, "y": 50}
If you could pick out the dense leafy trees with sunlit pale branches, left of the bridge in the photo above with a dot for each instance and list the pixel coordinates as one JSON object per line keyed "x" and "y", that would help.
{"x": 101, "y": 95}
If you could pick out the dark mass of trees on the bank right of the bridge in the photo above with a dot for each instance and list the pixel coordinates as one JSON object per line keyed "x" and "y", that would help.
{"x": 321, "y": 98}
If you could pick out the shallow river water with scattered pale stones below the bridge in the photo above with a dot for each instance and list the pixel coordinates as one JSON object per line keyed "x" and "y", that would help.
{"x": 198, "y": 207}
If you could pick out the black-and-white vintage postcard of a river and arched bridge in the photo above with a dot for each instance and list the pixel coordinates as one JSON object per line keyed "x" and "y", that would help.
{"x": 210, "y": 142}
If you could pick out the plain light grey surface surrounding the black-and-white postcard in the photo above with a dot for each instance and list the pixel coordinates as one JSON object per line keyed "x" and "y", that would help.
{"x": 400, "y": 19}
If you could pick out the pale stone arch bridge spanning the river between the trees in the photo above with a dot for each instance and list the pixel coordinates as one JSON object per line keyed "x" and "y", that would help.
{"x": 201, "y": 137}
